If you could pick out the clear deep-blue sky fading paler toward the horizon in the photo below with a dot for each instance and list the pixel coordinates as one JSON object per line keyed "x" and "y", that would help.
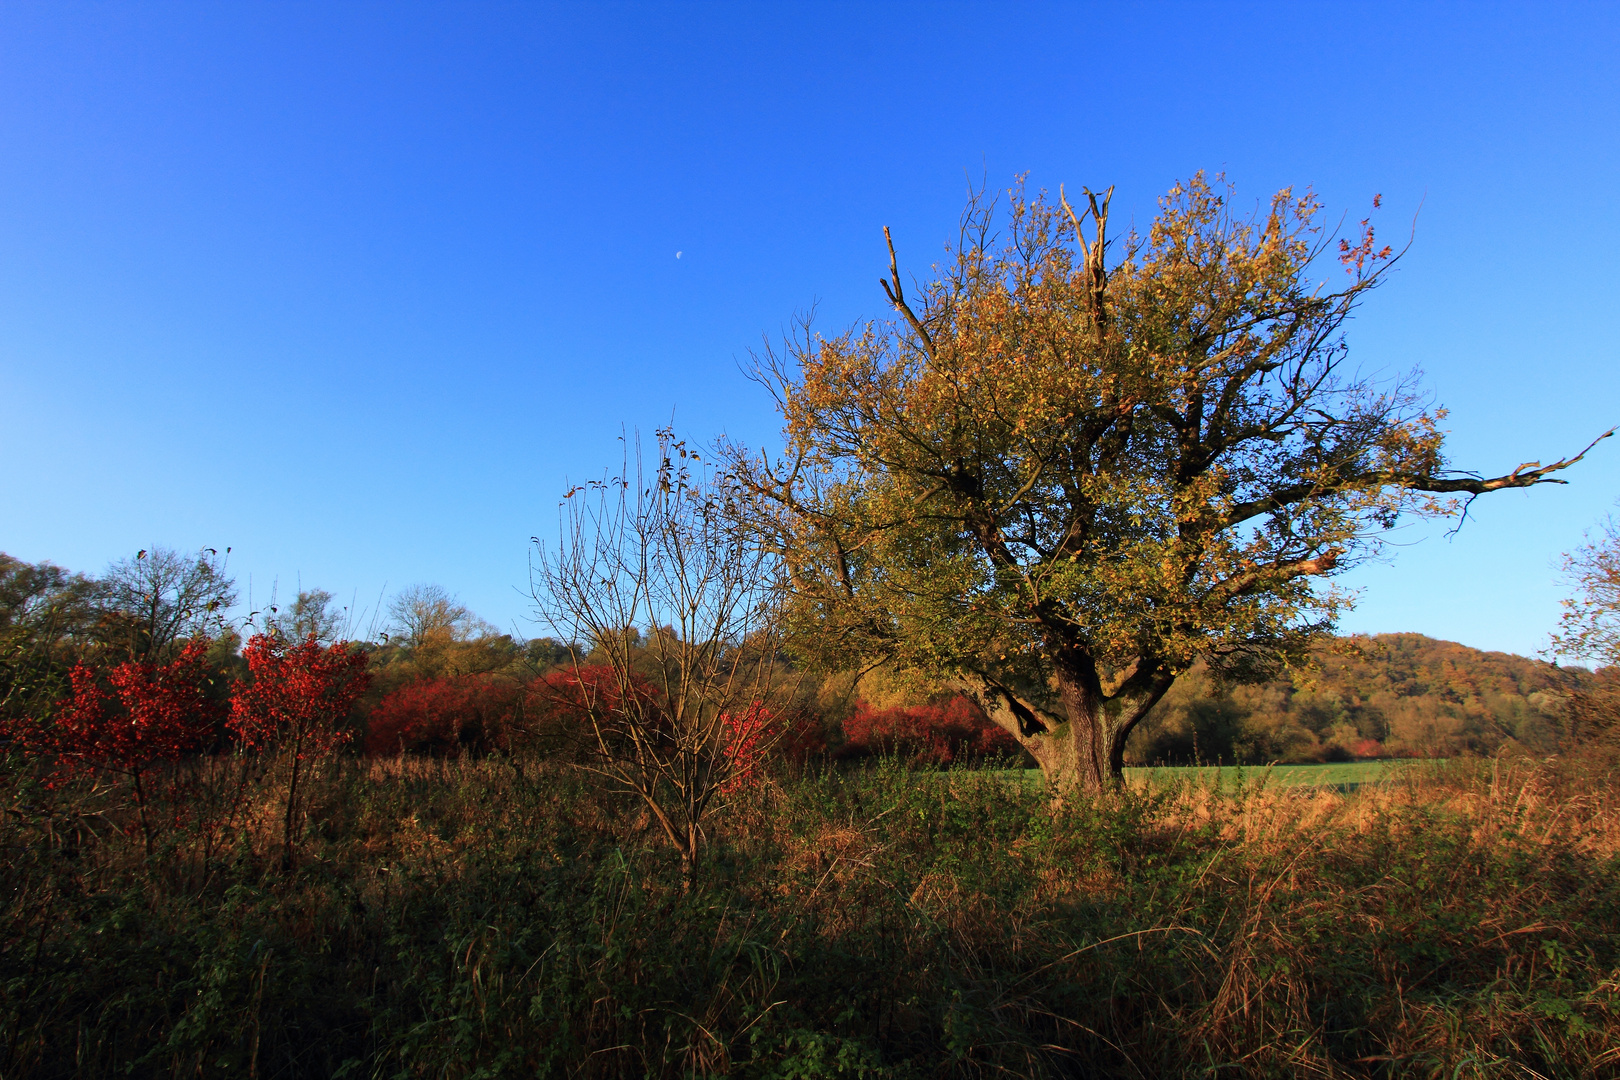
{"x": 357, "y": 289}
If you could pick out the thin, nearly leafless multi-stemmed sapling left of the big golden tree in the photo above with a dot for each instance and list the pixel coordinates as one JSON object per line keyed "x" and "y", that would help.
{"x": 676, "y": 602}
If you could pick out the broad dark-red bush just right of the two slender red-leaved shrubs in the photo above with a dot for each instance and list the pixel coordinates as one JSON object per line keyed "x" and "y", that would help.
{"x": 446, "y": 718}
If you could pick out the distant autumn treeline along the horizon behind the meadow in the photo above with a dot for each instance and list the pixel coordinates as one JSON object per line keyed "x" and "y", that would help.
{"x": 445, "y": 682}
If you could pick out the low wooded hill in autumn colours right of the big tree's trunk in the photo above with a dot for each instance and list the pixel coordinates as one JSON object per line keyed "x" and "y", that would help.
{"x": 1388, "y": 695}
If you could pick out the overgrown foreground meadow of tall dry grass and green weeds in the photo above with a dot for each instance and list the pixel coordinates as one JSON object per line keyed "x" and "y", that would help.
{"x": 485, "y": 919}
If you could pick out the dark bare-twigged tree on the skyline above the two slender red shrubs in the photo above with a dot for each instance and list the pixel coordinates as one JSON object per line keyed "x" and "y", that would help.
{"x": 160, "y": 598}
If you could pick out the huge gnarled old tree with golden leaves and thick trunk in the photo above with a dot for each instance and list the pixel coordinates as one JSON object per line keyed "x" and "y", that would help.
{"x": 1067, "y": 472}
